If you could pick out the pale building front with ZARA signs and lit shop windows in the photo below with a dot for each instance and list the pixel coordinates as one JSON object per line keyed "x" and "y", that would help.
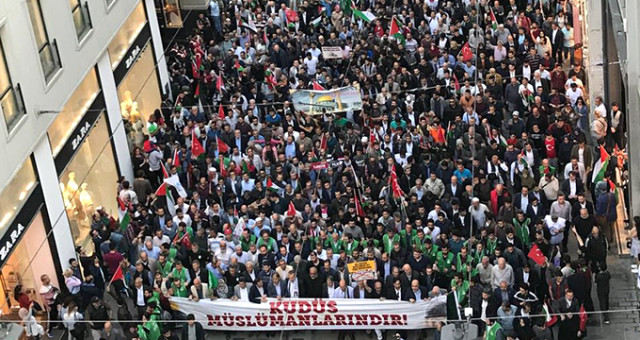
{"x": 79, "y": 80}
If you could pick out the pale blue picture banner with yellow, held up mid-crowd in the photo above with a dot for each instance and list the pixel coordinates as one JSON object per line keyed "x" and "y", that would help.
{"x": 331, "y": 101}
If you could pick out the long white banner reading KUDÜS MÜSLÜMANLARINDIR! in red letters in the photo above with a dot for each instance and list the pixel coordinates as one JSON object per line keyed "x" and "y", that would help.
{"x": 317, "y": 314}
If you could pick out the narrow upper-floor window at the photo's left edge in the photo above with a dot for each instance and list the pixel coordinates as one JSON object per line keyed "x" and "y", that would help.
{"x": 10, "y": 95}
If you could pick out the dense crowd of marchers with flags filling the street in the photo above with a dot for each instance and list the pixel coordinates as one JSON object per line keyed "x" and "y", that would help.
{"x": 475, "y": 145}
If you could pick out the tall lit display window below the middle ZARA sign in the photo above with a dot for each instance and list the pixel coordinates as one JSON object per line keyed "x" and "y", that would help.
{"x": 89, "y": 182}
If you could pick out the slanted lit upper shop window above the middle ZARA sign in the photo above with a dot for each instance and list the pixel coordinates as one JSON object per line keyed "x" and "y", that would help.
{"x": 73, "y": 111}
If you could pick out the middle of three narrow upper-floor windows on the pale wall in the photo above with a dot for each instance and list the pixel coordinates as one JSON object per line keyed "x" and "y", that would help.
{"x": 48, "y": 50}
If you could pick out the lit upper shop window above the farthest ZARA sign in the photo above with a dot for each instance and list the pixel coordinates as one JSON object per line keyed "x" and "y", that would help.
{"x": 127, "y": 35}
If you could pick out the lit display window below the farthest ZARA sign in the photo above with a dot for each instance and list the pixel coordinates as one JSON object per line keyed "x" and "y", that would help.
{"x": 139, "y": 94}
